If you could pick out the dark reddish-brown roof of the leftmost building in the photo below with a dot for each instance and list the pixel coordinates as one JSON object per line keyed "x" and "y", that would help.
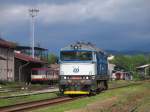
{"x": 7, "y": 44}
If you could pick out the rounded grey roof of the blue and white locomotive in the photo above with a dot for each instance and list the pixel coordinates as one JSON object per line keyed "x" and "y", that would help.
{"x": 82, "y": 46}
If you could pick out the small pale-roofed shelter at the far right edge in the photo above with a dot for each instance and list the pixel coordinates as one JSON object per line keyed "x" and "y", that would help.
{"x": 144, "y": 71}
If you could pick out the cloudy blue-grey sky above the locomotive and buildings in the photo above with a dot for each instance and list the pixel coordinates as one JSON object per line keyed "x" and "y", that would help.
{"x": 109, "y": 24}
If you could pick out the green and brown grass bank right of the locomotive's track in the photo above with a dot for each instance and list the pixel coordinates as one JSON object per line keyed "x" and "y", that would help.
{"x": 132, "y": 98}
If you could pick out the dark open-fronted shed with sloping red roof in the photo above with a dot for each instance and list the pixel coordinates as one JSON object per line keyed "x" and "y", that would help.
{"x": 23, "y": 66}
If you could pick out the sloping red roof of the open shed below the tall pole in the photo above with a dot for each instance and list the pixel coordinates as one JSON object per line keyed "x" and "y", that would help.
{"x": 28, "y": 58}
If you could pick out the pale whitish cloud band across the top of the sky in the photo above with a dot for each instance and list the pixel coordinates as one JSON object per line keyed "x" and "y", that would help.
{"x": 76, "y": 12}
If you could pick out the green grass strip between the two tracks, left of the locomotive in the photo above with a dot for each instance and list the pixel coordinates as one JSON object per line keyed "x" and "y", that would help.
{"x": 23, "y": 99}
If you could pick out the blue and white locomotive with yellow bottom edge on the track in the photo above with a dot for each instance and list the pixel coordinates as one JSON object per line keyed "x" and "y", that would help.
{"x": 83, "y": 69}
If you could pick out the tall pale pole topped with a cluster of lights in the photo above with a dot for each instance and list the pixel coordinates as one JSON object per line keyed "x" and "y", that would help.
{"x": 33, "y": 13}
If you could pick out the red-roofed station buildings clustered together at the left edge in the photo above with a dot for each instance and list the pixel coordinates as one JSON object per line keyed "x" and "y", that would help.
{"x": 16, "y": 62}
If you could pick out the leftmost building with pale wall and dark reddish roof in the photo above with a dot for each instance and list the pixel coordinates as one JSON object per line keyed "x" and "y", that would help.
{"x": 6, "y": 60}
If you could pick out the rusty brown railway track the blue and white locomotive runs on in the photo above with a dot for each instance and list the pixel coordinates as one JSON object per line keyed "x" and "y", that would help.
{"x": 43, "y": 103}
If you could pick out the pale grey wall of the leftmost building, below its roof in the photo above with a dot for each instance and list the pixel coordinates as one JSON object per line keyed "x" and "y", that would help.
{"x": 6, "y": 64}
